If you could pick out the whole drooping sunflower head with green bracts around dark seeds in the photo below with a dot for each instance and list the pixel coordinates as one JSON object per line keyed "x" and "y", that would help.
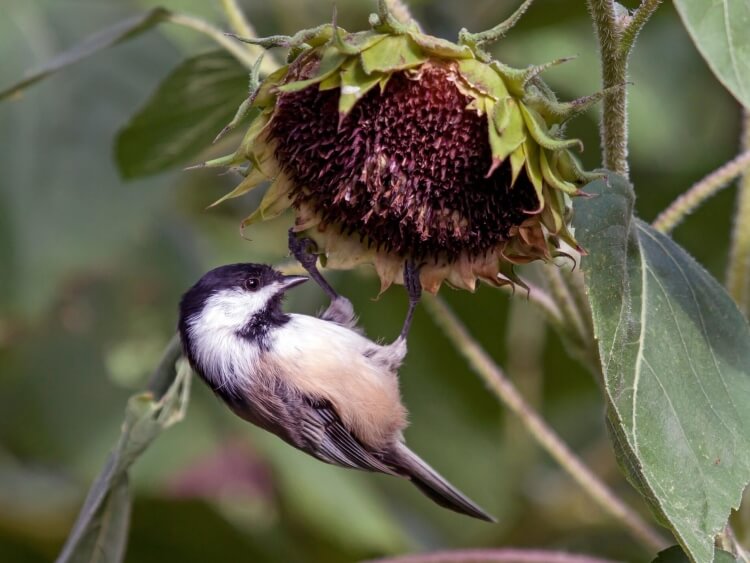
{"x": 390, "y": 144}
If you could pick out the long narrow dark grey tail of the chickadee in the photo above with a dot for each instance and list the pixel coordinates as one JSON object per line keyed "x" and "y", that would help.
{"x": 436, "y": 487}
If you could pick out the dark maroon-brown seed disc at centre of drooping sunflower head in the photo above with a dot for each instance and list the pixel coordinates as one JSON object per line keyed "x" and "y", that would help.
{"x": 405, "y": 169}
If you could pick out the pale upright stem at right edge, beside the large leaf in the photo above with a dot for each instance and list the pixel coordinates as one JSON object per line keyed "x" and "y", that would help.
{"x": 738, "y": 273}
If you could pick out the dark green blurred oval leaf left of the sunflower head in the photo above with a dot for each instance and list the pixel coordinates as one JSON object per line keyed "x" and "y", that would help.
{"x": 193, "y": 103}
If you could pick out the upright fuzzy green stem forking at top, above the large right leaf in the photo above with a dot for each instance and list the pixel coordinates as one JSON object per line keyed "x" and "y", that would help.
{"x": 616, "y": 31}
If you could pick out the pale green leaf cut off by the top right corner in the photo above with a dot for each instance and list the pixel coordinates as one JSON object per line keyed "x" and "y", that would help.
{"x": 719, "y": 30}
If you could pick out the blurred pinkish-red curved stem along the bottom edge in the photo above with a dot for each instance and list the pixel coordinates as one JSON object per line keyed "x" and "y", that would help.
{"x": 508, "y": 555}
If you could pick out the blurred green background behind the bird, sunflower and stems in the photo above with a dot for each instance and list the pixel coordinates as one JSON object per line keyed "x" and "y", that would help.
{"x": 92, "y": 266}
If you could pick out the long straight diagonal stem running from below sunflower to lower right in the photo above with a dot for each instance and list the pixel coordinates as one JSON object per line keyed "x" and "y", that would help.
{"x": 494, "y": 377}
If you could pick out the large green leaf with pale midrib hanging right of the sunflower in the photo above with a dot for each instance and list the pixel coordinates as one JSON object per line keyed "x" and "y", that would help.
{"x": 675, "y": 354}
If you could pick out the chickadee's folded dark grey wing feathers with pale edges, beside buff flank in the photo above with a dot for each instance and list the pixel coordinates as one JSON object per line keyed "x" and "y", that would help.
{"x": 332, "y": 442}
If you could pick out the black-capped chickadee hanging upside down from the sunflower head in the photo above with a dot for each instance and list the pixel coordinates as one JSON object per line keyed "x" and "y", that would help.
{"x": 316, "y": 382}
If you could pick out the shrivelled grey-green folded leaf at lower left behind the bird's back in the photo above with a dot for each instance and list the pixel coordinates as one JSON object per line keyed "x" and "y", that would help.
{"x": 100, "y": 531}
